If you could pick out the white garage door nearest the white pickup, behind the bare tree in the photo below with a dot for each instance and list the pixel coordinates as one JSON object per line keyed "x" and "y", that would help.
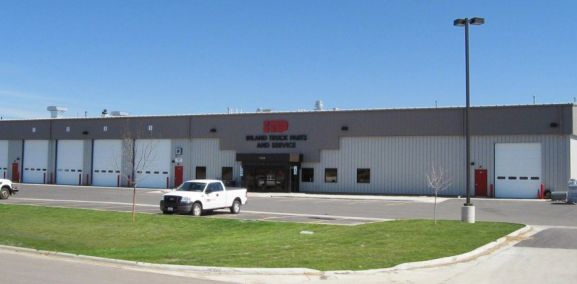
{"x": 152, "y": 162}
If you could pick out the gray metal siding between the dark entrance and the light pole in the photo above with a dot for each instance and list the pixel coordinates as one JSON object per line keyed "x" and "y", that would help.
{"x": 398, "y": 165}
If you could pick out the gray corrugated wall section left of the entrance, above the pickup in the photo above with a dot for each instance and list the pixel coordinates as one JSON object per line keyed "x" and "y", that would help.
{"x": 205, "y": 152}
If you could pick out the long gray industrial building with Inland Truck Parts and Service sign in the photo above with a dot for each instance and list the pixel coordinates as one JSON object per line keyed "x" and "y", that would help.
{"x": 514, "y": 150}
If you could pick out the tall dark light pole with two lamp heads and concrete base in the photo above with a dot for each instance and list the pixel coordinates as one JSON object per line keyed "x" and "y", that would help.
{"x": 468, "y": 210}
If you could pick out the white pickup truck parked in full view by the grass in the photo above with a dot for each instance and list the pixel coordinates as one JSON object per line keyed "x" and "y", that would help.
{"x": 200, "y": 195}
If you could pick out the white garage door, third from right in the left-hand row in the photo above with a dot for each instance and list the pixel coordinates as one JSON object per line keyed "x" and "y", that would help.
{"x": 69, "y": 162}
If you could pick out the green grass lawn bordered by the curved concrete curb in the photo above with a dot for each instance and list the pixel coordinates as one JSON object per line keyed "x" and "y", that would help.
{"x": 234, "y": 243}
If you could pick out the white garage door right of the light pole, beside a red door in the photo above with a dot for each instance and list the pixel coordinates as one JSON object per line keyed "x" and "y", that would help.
{"x": 517, "y": 170}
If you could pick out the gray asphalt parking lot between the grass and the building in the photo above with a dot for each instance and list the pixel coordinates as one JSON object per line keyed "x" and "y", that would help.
{"x": 310, "y": 208}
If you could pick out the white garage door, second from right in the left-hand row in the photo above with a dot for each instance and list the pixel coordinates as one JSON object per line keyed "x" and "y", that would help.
{"x": 106, "y": 162}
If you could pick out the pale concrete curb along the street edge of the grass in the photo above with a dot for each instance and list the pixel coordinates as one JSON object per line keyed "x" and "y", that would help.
{"x": 490, "y": 247}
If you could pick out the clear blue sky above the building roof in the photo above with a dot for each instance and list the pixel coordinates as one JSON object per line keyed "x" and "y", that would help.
{"x": 188, "y": 57}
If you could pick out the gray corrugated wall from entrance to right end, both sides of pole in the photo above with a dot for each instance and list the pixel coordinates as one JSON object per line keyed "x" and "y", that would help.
{"x": 399, "y": 165}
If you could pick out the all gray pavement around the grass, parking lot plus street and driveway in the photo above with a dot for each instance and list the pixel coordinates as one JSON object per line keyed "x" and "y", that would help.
{"x": 547, "y": 255}
